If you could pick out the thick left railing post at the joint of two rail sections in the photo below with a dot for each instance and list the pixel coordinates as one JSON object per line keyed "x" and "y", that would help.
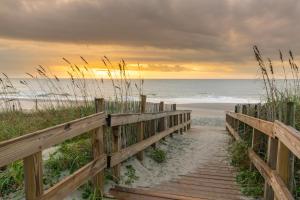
{"x": 98, "y": 146}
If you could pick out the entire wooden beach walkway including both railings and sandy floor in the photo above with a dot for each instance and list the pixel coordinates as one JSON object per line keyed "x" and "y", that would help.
{"x": 209, "y": 176}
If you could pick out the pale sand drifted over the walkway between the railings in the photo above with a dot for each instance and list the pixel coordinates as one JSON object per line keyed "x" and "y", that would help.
{"x": 185, "y": 153}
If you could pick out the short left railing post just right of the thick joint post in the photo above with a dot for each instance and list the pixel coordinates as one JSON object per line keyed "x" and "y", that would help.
{"x": 116, "y": 146}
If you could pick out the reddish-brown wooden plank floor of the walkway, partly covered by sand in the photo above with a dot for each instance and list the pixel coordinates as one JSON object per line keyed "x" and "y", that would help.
{"x": 214, "y": 179}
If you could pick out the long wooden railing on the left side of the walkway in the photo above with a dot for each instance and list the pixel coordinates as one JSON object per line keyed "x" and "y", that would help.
{"x": 29, "y": 147}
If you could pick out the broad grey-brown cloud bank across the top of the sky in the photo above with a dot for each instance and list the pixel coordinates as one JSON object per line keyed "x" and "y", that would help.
{"x": 226, "y": 29}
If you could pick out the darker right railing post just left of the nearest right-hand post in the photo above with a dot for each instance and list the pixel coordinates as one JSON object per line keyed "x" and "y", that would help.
{"x": 271, "y": 160}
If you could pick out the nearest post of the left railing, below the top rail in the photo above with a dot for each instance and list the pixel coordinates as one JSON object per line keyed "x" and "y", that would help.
{"x": 33, "y": 172}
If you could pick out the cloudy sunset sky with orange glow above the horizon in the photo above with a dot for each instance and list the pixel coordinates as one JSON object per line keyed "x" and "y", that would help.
{"x": 166, "y": 38}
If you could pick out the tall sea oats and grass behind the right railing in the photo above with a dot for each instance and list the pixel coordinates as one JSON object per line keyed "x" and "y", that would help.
{"x": 282, "y": 85}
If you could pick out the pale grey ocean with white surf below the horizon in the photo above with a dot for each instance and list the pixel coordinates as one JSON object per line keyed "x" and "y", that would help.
{"x": 170, "y": 91}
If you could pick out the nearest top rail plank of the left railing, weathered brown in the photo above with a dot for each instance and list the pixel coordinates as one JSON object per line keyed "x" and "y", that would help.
{"x": 21, "y": 147}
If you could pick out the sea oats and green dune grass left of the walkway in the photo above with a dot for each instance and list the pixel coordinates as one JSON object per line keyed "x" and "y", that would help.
{"x": 58, "y": 101}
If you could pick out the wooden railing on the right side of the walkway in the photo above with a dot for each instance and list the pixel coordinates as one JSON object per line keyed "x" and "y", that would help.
{"x": 283, "y": 141}
